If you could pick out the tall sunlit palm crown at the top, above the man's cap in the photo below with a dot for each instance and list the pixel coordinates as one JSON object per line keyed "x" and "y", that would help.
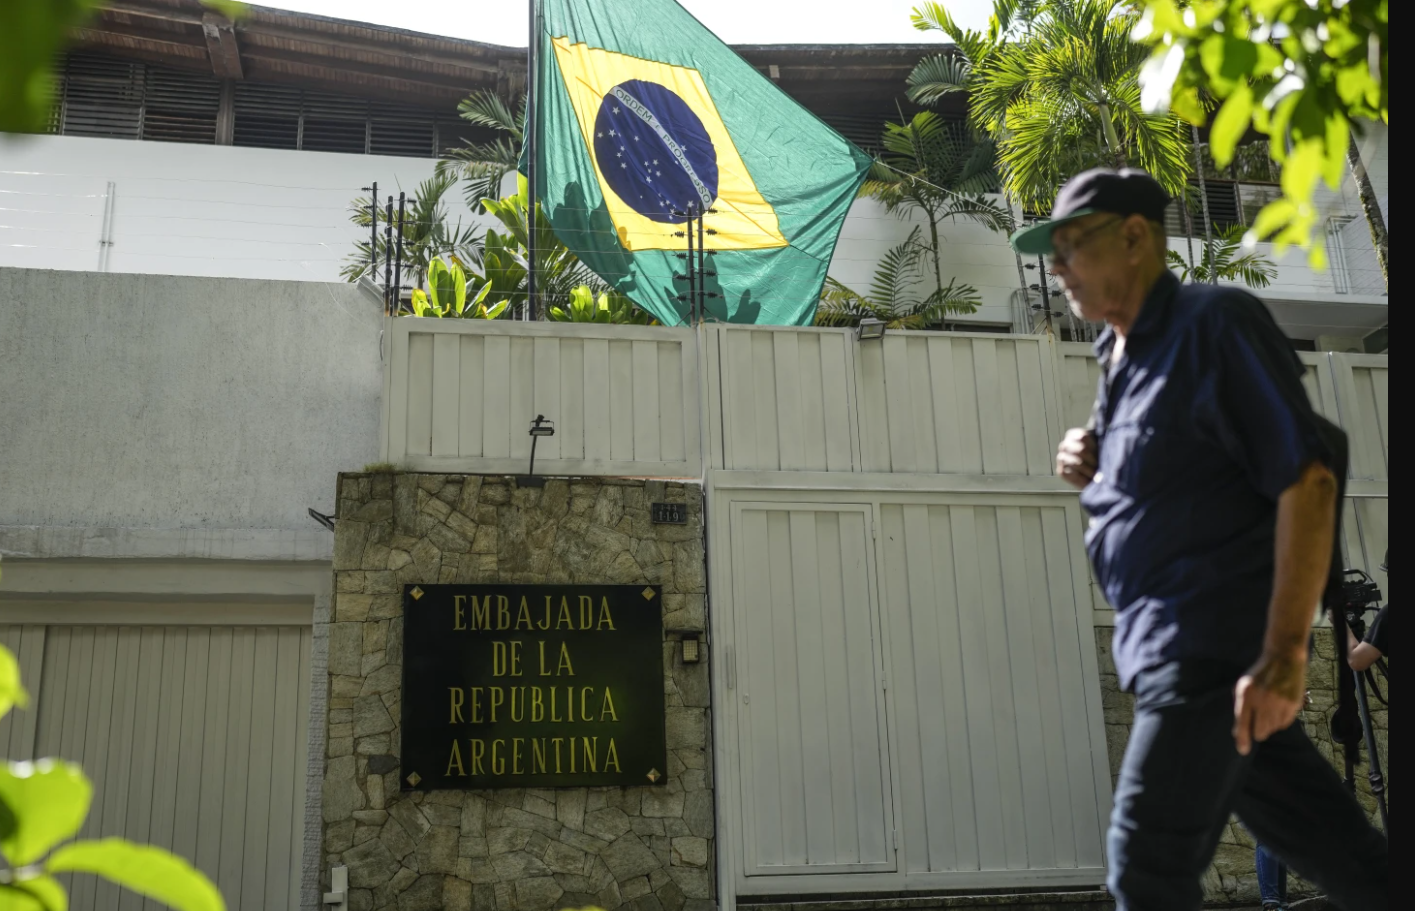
{"x": 1056, "y": 86}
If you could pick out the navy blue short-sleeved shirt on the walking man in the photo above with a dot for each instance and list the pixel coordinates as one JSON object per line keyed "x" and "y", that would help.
{"x": 1202, "y": 424}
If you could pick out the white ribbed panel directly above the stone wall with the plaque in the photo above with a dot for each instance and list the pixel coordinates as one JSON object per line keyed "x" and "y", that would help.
{"x": 462, "y": 395}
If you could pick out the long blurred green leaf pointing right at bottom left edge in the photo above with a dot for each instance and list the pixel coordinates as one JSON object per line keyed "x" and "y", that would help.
{"x": 144, "y": 869}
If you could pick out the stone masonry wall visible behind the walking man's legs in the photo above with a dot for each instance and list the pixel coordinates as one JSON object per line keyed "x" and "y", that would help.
{"x": 1233, "y": 878}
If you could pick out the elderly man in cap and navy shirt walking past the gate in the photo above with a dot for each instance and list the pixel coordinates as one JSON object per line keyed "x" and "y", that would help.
{"x": 1206, "y": 476}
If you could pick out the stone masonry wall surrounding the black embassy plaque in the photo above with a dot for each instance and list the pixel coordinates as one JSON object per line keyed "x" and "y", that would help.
{"x": 650, "y": 849}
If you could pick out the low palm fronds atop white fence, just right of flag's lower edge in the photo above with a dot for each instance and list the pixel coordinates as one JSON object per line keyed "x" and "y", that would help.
{"x": 895, "y": 295}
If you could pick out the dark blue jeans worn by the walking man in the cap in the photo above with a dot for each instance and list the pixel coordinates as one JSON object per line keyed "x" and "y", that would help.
{"x": 1182, "y": 779}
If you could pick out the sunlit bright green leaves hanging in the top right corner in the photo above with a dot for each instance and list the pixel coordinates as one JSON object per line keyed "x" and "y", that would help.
{"x": 1304, "y": 73}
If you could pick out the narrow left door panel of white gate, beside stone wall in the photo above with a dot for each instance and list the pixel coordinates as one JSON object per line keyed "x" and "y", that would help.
{"x": 810, "y": 701}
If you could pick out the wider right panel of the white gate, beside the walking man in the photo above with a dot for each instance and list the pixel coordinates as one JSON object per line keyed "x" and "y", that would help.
{"x": 995, "y": 708}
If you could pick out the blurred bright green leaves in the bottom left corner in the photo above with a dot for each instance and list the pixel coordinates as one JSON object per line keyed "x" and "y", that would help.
{"x": 46, "y": 803}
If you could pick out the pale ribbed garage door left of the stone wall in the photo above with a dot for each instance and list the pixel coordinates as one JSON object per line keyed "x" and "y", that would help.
{"x": 195, "y": 739}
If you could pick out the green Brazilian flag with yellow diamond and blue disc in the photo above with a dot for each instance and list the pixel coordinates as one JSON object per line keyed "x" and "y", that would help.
{"x": 645, "y": 115}
